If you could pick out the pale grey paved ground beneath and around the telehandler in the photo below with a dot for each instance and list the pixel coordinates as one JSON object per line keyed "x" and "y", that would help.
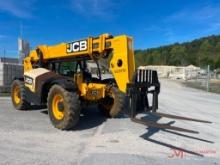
{"x": 29, "y": 138}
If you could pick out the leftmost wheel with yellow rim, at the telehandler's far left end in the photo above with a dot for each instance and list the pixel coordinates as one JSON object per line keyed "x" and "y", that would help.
{"x": 18, "y": 95}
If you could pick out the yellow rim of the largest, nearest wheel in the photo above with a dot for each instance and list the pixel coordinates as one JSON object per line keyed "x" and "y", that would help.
{"x": 58, "y": 107}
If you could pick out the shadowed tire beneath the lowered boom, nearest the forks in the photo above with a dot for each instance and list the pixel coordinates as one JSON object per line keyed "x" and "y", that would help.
{"x": 112, "y": 104}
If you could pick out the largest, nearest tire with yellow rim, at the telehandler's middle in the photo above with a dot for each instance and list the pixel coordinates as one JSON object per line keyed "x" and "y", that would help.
{"x": 63, "y": 107}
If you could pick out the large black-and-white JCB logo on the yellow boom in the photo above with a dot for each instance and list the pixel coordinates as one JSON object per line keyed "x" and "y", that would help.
{"x": 76, "y": 46}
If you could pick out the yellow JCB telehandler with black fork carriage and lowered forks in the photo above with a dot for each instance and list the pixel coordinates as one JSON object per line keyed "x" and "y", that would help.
{"x": 58, "y": 76}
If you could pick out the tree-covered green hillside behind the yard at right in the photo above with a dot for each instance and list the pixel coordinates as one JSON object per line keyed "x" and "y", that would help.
{"x": 199, "y": 52}
